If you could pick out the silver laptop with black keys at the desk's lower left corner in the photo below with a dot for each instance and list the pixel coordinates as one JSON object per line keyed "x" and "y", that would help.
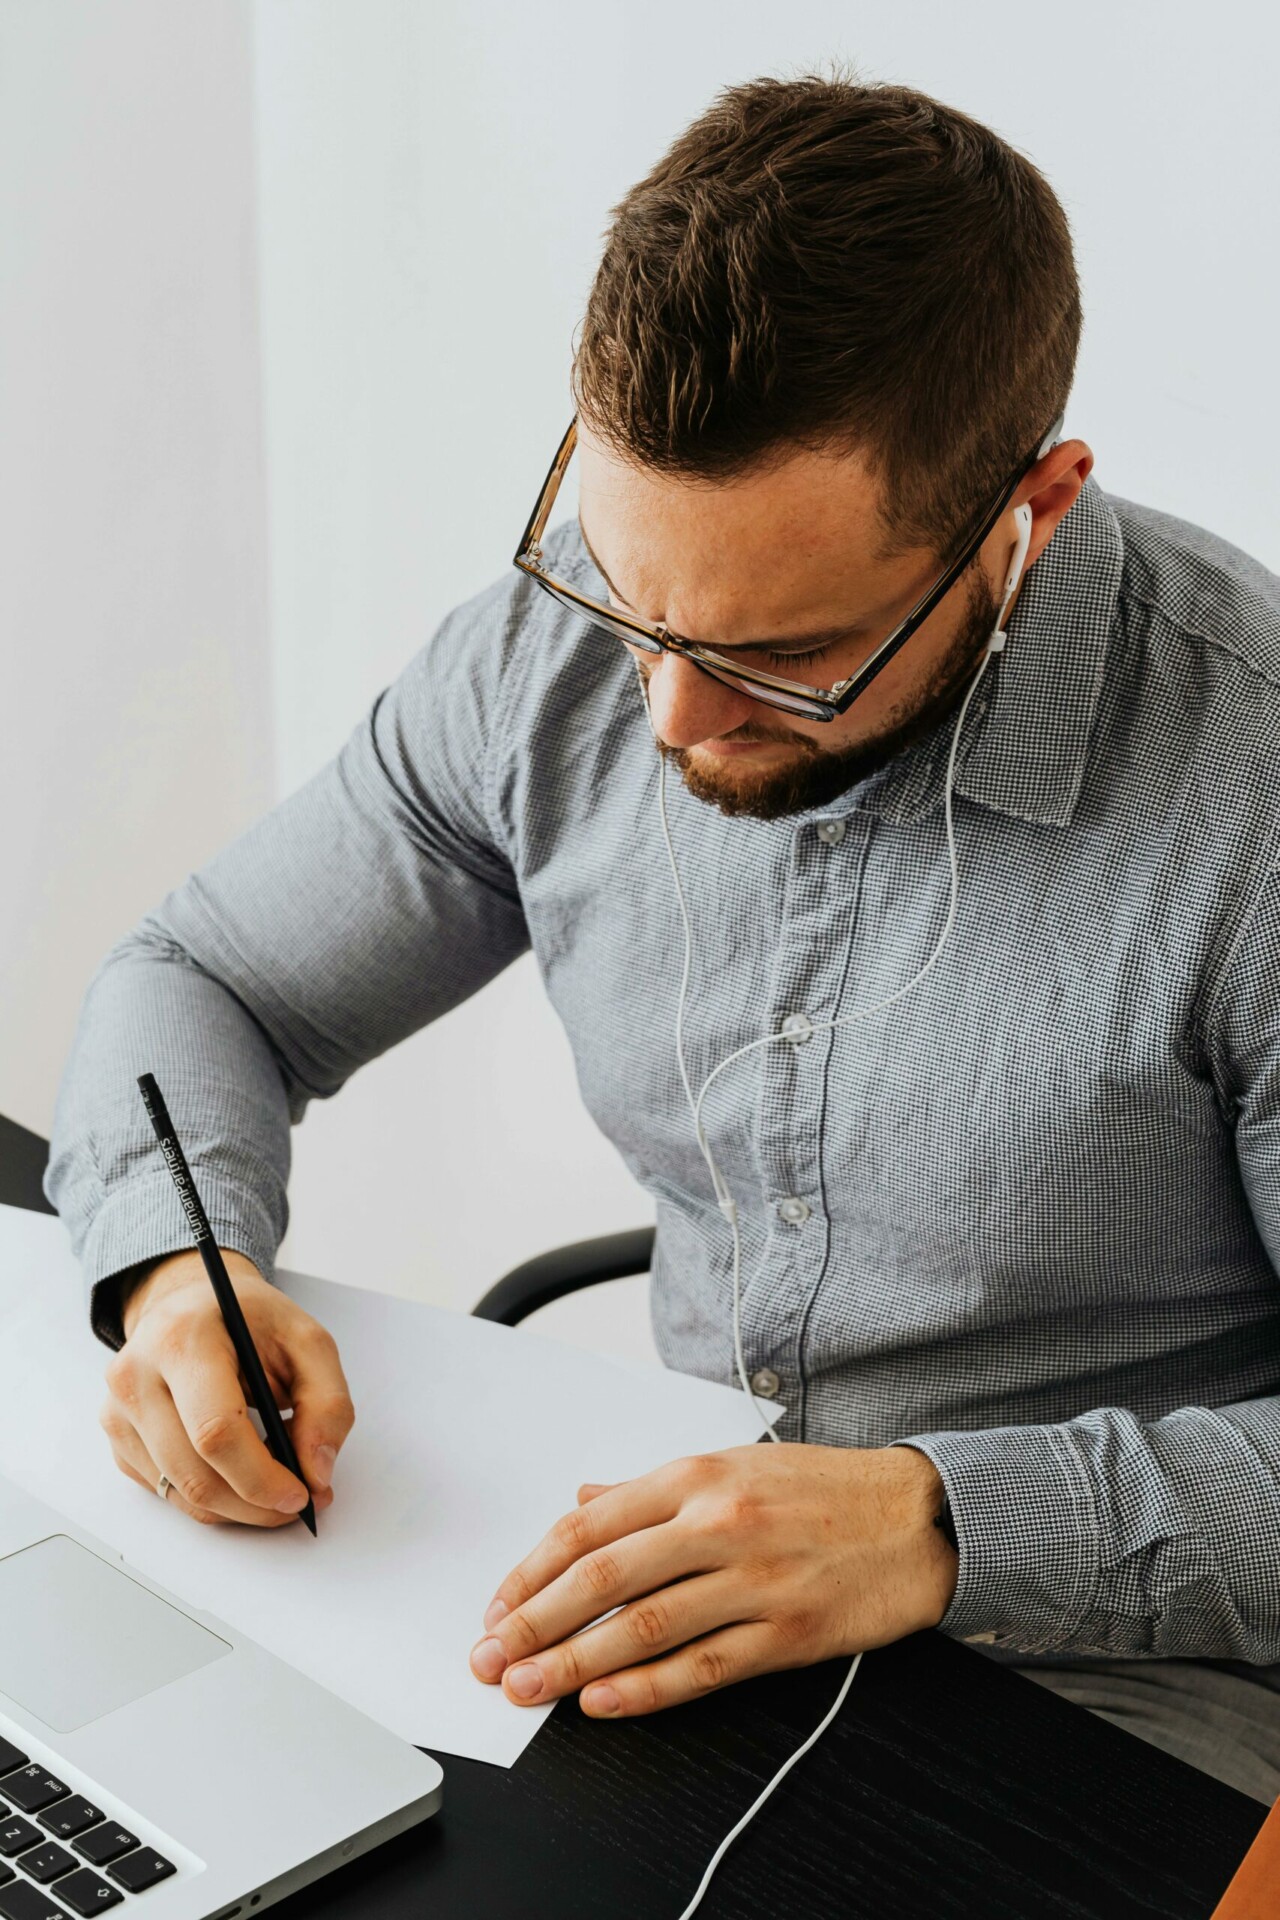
{"x": 160, "y": 1765}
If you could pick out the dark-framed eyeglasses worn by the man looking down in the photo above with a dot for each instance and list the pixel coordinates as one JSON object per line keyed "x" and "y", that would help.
{"x": 815, "y": 704}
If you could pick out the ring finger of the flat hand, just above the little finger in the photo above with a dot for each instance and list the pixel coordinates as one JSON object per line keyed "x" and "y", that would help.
{"x": 642, "y": 1629}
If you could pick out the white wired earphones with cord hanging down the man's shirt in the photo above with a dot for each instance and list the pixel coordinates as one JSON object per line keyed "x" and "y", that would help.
{"x": 724, "y": 1199}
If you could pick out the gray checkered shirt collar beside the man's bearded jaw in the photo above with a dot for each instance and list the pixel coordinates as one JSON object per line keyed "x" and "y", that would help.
{"x": 1028, "y": 732}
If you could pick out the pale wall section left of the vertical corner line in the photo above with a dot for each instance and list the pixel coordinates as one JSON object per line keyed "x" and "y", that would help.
{"x": 135, "y": 723}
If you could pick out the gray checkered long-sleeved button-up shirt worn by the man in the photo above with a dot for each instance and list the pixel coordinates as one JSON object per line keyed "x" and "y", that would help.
{"x": 1028, "y": 1218}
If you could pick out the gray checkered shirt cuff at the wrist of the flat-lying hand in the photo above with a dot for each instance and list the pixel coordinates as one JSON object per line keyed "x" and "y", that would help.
{"x": 1028, "y": 1535}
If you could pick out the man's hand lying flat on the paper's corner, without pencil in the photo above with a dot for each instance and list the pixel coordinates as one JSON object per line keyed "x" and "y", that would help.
{"x": 721, "y": 1566}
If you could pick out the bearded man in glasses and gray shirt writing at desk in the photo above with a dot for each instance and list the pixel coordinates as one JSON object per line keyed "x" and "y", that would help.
{"x": 1007, "y": 1243}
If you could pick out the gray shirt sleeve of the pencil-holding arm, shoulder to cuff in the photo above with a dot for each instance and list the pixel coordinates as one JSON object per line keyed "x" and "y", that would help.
{"x": 360, "y": 909}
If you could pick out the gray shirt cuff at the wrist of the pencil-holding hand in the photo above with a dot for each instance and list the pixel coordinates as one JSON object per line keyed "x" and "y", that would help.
{"x": 145, "y": 1222}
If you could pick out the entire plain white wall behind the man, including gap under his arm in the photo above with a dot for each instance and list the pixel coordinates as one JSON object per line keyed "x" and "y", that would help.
{"x": 433, "y": 185}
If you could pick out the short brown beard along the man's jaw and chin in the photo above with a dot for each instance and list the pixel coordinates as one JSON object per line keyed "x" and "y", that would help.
{"x": 818, "y": 777}
